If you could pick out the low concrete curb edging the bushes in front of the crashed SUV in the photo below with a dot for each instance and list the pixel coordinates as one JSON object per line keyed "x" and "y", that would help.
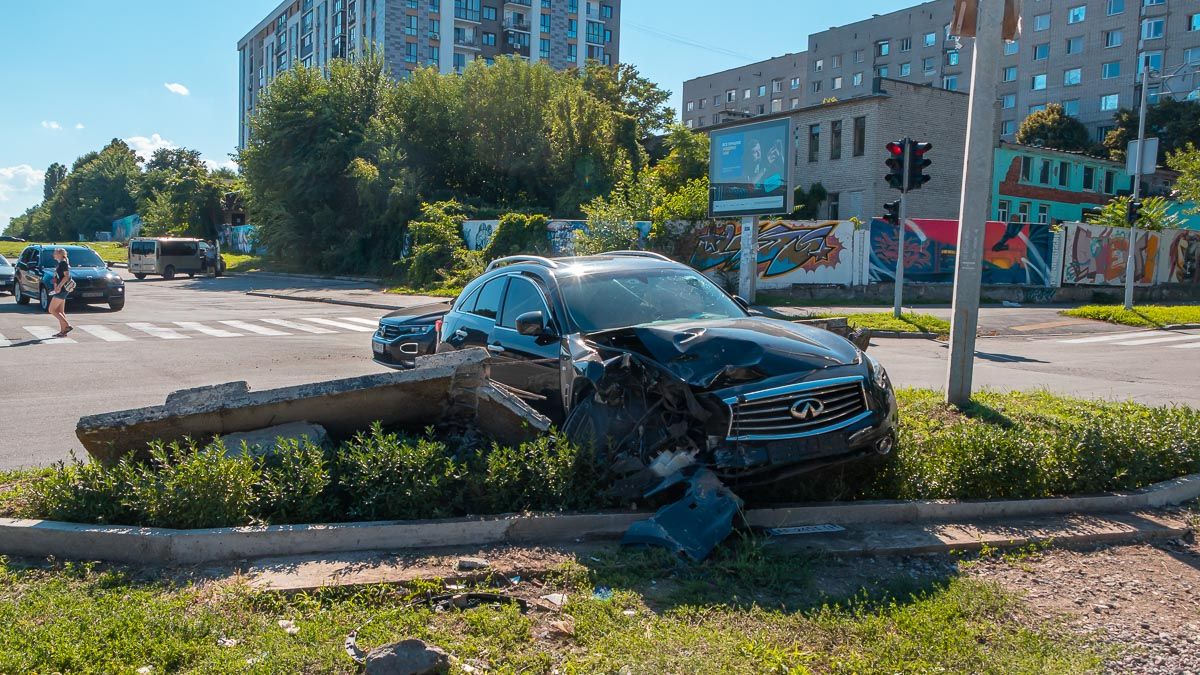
{"x": 160, "y": 547}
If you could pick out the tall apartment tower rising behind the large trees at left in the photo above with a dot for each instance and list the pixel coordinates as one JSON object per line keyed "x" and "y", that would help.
{"x": 412, "y": 34}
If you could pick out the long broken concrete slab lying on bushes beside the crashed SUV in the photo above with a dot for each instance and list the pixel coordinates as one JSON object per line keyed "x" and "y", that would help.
{"x": 449, "y": 389}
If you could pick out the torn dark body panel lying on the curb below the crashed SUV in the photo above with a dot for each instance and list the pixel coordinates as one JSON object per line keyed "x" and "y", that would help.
{"x": 694, "y": 525}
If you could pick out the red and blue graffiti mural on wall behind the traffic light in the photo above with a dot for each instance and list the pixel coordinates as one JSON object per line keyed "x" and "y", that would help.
{"x": 1013, "y": 253}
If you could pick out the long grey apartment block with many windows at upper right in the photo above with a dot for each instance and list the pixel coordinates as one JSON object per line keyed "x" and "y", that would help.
{"x": 1085, "y": 55}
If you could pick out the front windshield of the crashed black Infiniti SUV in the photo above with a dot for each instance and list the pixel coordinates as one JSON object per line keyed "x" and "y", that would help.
{"x": 603, "y": 302}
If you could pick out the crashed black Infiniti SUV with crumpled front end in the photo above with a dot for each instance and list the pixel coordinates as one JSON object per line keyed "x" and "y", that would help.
{"x": 647, "y": 360}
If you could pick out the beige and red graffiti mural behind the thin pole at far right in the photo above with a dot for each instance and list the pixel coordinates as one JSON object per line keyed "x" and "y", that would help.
{"x": 1097, "y": 256}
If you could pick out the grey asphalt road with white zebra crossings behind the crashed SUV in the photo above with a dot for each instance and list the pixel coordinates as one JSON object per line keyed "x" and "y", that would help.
{"x": 191, "y": 333}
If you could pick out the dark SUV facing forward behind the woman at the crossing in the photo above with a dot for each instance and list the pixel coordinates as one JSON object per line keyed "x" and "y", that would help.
{"x": 95, "y": 284}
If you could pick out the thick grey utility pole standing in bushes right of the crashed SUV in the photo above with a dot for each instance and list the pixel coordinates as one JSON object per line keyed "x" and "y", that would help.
{"x": 975, "y": 206}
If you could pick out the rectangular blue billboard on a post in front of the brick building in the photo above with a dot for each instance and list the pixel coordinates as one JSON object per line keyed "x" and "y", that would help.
{"x": 749, "y": 171}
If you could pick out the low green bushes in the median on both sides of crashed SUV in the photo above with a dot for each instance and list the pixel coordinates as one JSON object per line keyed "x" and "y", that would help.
{"x": 1004, "y": 446}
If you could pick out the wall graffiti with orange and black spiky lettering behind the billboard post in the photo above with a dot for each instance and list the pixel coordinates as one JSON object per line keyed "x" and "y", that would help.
{"x": 789, "y": 252}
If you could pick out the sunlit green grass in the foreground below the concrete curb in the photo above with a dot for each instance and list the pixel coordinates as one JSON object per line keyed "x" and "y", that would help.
{"x": 746, "y": 611}
